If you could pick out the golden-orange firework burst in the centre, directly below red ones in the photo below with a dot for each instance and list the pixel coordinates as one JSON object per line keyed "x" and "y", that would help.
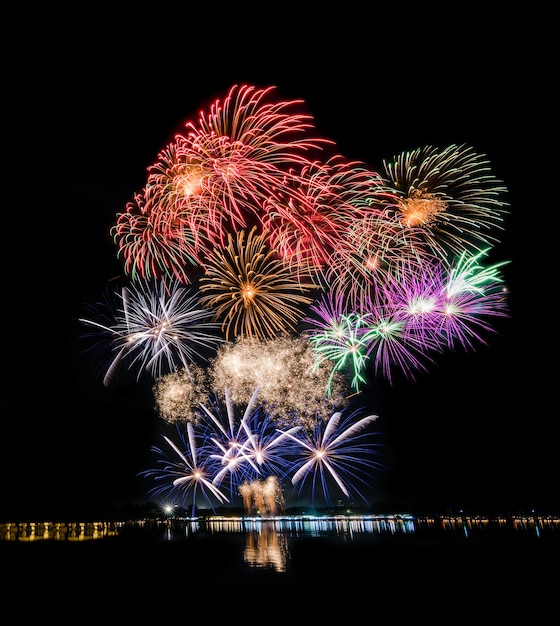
{"x": 251, "y": 291}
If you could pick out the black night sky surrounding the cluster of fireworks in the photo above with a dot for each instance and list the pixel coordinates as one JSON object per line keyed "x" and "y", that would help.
{"x": 90, "y": 113}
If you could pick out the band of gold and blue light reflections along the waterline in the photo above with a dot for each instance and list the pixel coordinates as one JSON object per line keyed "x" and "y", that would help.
{"x": 271, "y": 533}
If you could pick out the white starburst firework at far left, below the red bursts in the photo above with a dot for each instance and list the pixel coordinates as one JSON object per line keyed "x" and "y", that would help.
{"x": 155, "y": 330}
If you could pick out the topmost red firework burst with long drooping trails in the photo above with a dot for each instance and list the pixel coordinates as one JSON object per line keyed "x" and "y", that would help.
{"x": 241, "y": 151}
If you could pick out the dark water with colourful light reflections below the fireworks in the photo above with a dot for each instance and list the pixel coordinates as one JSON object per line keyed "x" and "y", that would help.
{"x": 394, "y": 567}
